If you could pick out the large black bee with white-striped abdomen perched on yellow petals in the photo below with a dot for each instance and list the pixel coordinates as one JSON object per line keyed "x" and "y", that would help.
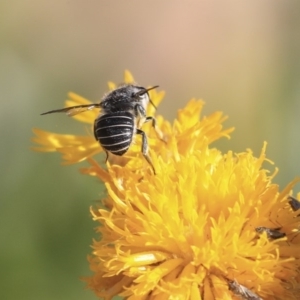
{"x": 122, "y": 113}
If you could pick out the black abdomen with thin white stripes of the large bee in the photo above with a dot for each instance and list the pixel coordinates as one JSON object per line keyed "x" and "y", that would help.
{"x": 114, "y": 131}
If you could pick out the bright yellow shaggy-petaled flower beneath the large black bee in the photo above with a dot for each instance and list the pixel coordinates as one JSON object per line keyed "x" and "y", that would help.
{"x": 194, "y": 230}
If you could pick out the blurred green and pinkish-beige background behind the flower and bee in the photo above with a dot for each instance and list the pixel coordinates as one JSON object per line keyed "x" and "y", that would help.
{"x": 240, "y": 57}
